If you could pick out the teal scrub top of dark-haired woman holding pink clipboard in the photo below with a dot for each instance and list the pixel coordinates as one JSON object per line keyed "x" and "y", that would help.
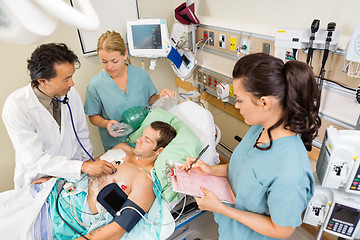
{"x": 277, "y": 182}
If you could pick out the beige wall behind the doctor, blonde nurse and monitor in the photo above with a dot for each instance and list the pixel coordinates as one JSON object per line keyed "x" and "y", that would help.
{"x": 14, "y": 75}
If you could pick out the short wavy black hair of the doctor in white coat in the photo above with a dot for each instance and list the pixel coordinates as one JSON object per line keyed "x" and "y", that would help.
{"x": 42, "y": 61}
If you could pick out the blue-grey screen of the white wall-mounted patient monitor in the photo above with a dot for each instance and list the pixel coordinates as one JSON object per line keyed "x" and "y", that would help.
{"x": 147, "y": 36}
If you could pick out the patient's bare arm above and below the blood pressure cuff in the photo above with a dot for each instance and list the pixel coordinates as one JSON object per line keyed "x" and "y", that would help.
{"x": 141, "y": 194}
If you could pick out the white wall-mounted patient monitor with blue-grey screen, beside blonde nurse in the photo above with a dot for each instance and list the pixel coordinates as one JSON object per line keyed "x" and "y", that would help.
{"x": 148, "y": 38}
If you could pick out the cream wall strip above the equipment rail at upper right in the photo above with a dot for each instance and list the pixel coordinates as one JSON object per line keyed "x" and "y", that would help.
{"x": 284, "y": 13}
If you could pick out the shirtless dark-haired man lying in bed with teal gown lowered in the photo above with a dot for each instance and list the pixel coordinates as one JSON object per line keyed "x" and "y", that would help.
{"x": 133, "y": 175}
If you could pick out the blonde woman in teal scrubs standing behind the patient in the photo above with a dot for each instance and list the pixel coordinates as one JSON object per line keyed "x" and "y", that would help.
{"x": 118, "y": 87}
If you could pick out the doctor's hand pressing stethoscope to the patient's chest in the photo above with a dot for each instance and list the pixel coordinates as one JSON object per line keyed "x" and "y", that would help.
{"x": 97, "y": 168}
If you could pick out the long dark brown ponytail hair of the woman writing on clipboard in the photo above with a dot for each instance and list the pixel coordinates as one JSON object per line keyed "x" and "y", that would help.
{"x": 292, "y": 83}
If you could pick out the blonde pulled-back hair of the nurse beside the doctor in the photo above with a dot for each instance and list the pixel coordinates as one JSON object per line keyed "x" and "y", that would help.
{"x": 112, "y": 41}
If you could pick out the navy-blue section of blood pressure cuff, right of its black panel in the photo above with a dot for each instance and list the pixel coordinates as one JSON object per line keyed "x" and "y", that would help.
{"x": 128, "y": 217}
